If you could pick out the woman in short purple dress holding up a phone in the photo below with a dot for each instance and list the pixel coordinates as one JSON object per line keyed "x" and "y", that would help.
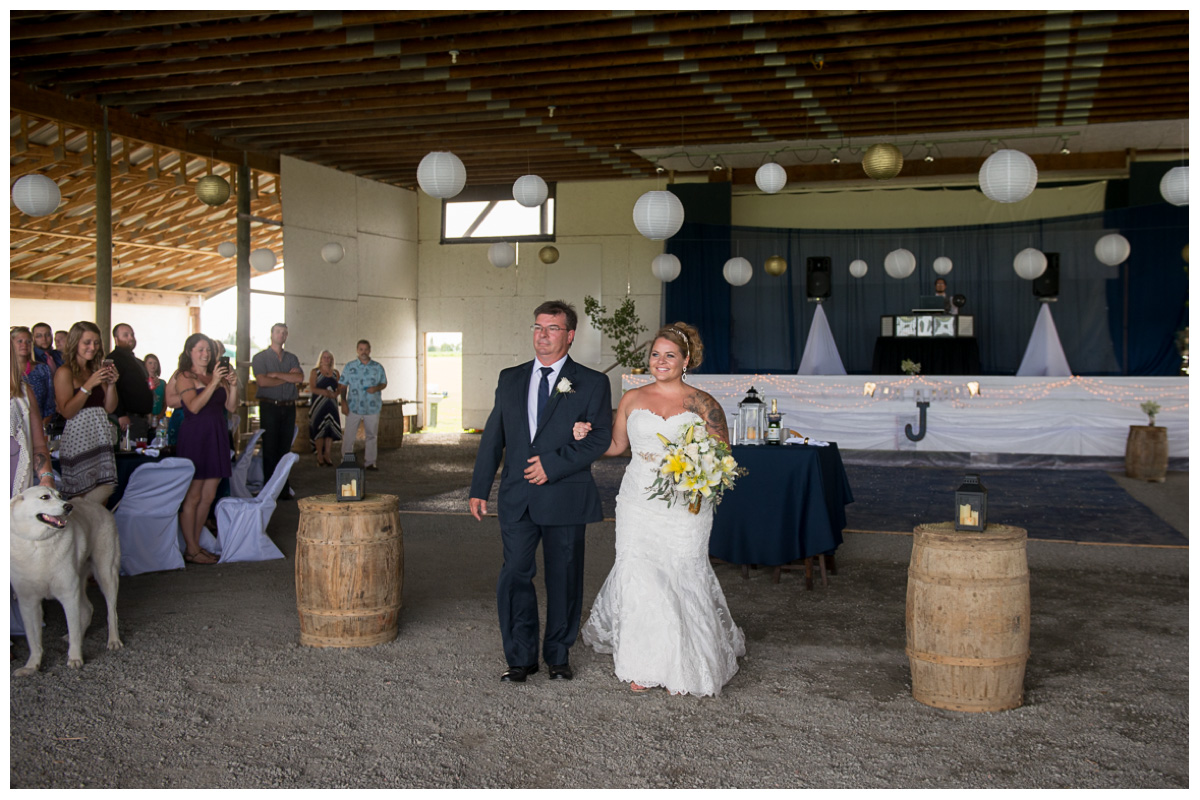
{"x": 206, "y": 390}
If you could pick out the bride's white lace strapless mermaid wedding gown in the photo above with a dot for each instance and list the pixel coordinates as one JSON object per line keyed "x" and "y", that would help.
{"x": 662, "y": 612}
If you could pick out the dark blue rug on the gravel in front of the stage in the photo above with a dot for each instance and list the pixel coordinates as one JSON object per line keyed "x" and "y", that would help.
{"x": 1073, "y": 506}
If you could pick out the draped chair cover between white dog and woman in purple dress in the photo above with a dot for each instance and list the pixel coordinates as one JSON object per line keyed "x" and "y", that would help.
{"x": 148, "y": 516}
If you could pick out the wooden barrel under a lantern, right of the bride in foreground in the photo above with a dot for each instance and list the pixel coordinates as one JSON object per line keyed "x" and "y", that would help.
{"x": 968, "y": 617}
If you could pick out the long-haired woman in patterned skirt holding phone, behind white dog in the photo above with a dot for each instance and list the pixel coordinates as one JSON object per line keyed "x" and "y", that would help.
{"x": 86, "y": 394}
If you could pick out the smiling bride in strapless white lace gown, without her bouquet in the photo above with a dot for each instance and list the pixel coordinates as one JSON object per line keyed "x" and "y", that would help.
{"x": 662, "y": 612}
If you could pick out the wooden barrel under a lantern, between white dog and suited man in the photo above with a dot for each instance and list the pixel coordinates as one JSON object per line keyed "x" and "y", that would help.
{"x": 350, "y": 572}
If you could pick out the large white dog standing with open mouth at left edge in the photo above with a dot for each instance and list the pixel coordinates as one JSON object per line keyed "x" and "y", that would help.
{"x": 52, "y": 544}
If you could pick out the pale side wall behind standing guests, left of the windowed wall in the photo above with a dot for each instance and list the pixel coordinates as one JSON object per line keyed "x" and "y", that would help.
{"x": 373, "y": 292}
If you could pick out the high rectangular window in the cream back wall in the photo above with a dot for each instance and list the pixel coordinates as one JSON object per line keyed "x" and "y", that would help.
{"x": 489, "y": 214}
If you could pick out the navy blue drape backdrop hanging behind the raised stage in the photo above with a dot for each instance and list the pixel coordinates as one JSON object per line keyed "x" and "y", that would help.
{"x": 763, "y": 327}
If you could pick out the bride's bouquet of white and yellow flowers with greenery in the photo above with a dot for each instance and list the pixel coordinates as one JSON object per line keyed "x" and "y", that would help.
{"x": 695, "y": 467}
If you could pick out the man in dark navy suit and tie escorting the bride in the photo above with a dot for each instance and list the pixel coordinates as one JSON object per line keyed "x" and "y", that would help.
{"x": 547, "y": 490}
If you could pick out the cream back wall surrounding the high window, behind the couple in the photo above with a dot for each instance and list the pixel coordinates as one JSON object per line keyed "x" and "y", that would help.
{"x": 602, "y": 255}
